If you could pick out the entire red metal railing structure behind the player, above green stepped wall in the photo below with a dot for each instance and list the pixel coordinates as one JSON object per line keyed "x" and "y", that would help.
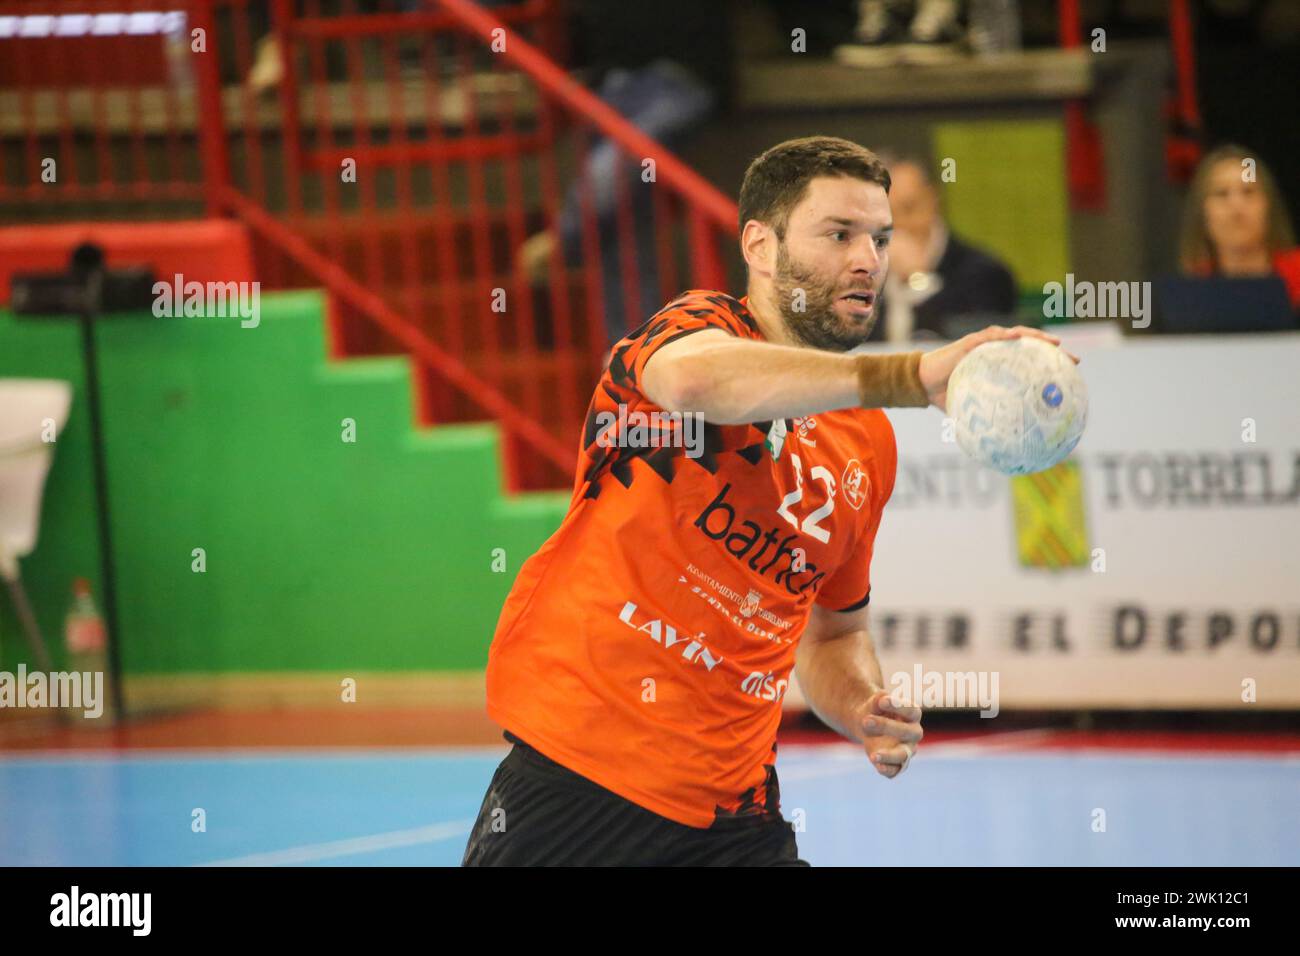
{"x": 402, "y": 162}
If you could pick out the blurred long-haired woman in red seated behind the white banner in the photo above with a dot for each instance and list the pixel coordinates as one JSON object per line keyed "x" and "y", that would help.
{"x": 1237, "y": 223}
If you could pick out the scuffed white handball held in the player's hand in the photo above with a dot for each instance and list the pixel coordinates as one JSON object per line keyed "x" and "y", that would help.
{"x": 1019, "y": 405}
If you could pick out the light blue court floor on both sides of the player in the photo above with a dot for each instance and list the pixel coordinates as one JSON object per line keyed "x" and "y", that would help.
{"x": 395, "y": 808}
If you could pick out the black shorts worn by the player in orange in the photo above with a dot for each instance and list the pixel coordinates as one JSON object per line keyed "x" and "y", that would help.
{"x": 539, "y": 814}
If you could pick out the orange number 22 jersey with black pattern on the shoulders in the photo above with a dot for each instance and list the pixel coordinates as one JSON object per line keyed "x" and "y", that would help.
{"x": 648, "y": 644}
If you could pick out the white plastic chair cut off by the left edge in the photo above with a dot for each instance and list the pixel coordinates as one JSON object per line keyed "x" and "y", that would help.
{"x": 31, "y": 409}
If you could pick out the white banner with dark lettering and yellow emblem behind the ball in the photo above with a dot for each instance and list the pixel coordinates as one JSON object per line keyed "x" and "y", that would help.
{"x": 1159, "y": 568}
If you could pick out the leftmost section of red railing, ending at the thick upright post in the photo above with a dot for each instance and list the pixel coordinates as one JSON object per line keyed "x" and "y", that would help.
{"x": 94, "y": 98}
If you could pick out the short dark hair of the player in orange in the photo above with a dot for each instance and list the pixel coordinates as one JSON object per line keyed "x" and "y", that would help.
{"x": 777, "y": 181}
